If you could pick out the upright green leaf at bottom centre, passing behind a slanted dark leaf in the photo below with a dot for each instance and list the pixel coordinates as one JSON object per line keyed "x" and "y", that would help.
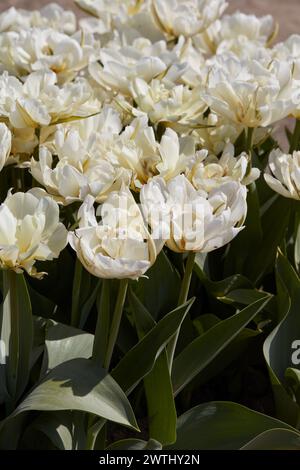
{"x": 161, "y": 412}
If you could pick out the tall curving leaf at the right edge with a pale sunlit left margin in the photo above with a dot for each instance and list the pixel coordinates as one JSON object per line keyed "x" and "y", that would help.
{"x": 278, "y": 346}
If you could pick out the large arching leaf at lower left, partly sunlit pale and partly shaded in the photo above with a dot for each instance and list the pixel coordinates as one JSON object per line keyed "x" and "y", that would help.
{"x": 80, "y": 385}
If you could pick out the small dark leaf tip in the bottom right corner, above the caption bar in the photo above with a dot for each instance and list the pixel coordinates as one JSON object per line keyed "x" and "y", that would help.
{"x": 275, "y": 439}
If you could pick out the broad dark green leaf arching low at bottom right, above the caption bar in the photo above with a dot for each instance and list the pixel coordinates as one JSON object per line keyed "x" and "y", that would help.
{"x": 221, "y": 426}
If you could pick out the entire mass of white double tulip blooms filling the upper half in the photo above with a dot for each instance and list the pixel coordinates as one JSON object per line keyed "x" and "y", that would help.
{"x": 142, "y": 101}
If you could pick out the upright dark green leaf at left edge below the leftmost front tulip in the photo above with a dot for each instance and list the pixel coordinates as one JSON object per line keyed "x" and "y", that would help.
{"x": 16, "y": 337}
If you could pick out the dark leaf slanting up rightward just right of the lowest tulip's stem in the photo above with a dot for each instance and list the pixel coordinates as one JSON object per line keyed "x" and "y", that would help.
{"x": 139, "y": 361}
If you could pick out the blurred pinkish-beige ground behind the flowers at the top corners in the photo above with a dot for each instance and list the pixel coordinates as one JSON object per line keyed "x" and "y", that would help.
{"x": 286, "y": 12}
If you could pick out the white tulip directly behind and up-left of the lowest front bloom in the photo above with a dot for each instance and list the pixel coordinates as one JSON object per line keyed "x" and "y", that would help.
{"x": 82, "y": 167}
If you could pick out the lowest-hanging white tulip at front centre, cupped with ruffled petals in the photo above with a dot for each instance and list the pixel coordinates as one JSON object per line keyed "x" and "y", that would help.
{"x": 119, "y": 247}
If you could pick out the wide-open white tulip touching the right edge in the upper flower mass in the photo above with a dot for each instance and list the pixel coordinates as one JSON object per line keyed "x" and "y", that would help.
{"x": 250, "y": 94}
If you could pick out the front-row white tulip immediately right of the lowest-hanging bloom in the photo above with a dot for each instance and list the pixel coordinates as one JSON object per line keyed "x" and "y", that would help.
{"x": 191, "y": 220}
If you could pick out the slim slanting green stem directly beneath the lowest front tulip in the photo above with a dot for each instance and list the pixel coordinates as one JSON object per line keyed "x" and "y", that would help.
{"x": 115, "y": 325}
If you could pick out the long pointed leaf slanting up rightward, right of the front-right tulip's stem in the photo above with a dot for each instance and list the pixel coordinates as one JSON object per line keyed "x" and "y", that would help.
{"x": 200, "y": 352}
